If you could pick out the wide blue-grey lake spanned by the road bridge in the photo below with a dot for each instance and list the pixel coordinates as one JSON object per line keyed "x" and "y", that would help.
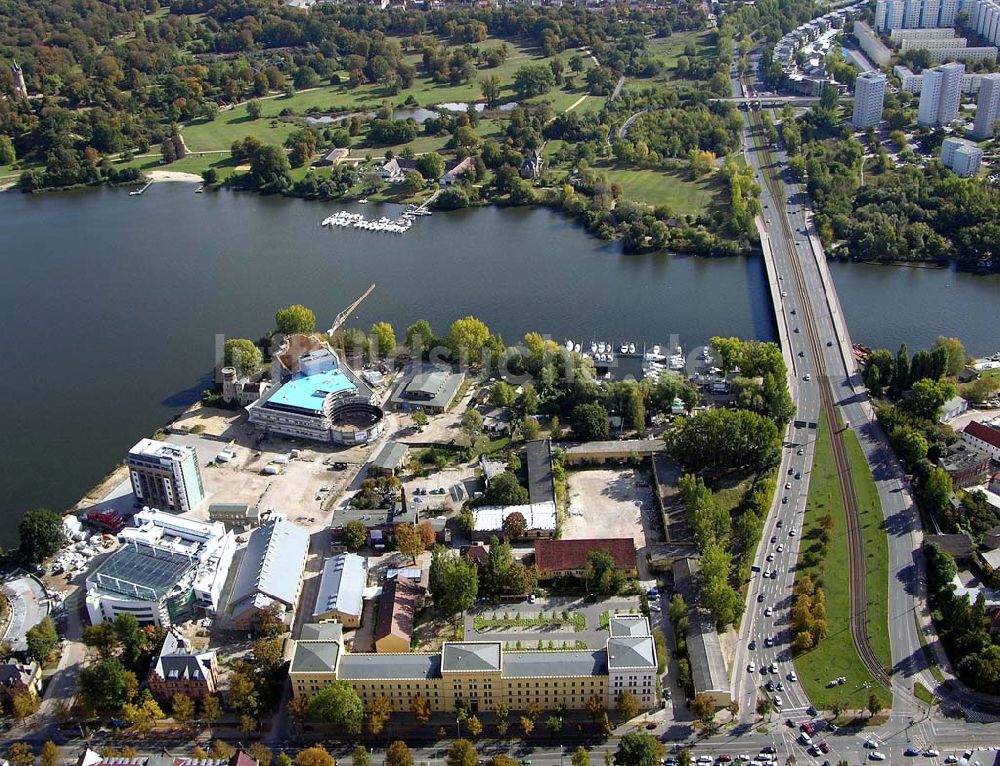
{"x": 112, "y": 304}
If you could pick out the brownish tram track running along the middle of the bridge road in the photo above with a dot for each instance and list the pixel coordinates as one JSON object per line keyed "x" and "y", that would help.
{"x": 858, "y": 582}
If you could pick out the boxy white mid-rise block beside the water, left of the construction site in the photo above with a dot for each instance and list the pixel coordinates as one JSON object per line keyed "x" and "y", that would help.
{"x": 165, "y": 476}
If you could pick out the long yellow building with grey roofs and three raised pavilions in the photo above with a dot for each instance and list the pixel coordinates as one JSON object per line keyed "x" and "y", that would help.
{"x": 481, "y": 674}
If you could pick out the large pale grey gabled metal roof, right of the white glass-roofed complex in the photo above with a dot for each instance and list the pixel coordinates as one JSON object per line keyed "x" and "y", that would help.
{"x": 272, "y": 564}
